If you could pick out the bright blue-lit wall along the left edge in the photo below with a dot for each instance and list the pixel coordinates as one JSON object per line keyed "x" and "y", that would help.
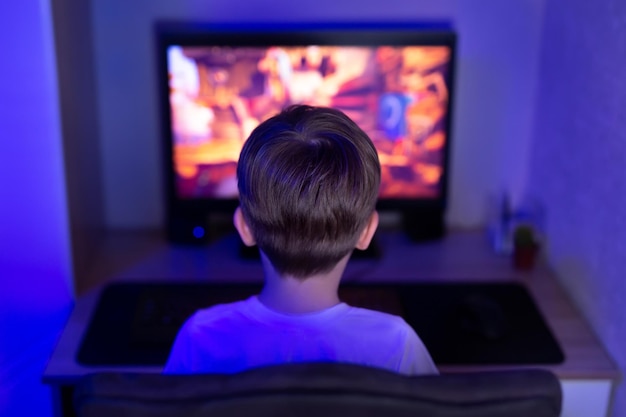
{"x": 35, "y": 272}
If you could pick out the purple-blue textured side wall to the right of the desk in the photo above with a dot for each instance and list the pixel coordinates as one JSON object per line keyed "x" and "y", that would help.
{"x": 578, "y": 164}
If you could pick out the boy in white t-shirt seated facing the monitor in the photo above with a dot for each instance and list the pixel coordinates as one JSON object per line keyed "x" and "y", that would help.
{"x": 308, "y": 181}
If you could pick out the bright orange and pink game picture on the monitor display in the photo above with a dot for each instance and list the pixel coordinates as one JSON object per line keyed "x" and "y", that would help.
{"x": 398, "y": 95}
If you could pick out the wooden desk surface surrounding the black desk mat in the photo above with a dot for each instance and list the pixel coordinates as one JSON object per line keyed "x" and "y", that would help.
{"x": 460, "y": 257}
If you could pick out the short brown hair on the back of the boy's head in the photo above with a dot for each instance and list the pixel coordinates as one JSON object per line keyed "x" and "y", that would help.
{"x": 308, "y": 183}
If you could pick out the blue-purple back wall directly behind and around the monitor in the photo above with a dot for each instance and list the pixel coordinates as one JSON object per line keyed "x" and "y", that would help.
{"x": 497, "y": 69}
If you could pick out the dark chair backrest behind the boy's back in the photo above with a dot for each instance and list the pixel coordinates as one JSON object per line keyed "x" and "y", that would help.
{"x": 320, "y": 389}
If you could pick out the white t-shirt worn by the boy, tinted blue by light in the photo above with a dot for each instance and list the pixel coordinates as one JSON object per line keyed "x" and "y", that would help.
{"x": 233, "y": 337}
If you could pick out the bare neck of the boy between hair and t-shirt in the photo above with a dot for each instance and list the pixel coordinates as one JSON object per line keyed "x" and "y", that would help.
{"x": 299, "y": 296}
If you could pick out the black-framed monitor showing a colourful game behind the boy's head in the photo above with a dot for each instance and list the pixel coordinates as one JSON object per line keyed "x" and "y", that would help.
{"x": 217, "y": 82}
